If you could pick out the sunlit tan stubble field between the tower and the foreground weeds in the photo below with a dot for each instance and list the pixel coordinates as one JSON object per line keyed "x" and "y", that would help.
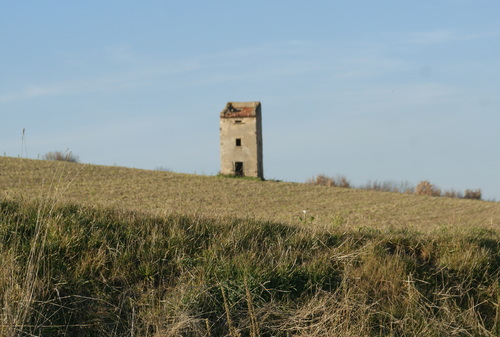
{"x": 158, "y": 192}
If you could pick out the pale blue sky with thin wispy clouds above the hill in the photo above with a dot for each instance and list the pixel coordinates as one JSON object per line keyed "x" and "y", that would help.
{"x": 373, "y": 90}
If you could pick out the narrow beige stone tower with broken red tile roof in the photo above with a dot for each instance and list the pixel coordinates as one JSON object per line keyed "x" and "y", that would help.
{"x": 241, "y": 139}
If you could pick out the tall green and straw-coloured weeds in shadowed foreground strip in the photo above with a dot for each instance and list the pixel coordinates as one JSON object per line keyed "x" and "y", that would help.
{"x": 69, "y": 270}
